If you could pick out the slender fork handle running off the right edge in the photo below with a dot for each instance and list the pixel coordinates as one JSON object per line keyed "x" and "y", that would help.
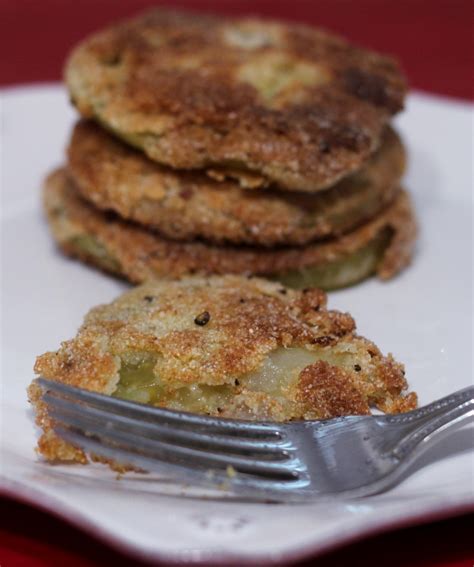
{"x": 435, "y": 420}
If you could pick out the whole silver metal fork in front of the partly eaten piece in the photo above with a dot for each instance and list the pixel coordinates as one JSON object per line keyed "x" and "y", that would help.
{"x": 296, "y": 461}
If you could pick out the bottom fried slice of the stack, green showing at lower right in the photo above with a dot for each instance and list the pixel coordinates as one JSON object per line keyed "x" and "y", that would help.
{"x": 384, "y": 245}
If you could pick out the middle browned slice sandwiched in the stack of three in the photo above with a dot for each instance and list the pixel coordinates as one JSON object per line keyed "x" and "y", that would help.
{"x": 186, "y": 205}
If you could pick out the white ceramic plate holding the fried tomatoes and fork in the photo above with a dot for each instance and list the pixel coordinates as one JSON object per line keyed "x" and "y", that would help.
{"x": 424, "y": 317}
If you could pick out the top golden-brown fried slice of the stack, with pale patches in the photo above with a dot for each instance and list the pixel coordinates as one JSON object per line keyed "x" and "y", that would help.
{"x": 260, "y": 101}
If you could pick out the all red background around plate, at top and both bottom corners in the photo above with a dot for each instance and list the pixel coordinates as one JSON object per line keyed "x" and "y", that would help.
{"x": 434, "y": 41}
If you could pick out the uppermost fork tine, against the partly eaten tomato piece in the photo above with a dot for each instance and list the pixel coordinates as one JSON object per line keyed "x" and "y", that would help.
{"x": 161, "y": 415}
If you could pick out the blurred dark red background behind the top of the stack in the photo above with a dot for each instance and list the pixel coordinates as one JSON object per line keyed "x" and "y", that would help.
{"x": 432, "y": 38}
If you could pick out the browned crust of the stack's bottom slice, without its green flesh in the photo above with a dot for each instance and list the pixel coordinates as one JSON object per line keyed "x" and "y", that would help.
{"x": 141, "y": 255}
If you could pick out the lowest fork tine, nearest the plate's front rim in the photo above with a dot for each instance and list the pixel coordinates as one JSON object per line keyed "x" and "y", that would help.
{"x": 247, "y": 485}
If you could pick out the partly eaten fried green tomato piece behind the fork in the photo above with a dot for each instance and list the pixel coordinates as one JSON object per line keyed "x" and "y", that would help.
{"x": 227, "y": 346}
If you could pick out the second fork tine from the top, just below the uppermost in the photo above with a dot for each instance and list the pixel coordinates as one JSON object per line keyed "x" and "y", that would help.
{"x": 66, "y": 410}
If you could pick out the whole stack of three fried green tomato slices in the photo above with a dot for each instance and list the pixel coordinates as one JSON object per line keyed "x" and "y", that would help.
{"x": 216, "y": 146}
